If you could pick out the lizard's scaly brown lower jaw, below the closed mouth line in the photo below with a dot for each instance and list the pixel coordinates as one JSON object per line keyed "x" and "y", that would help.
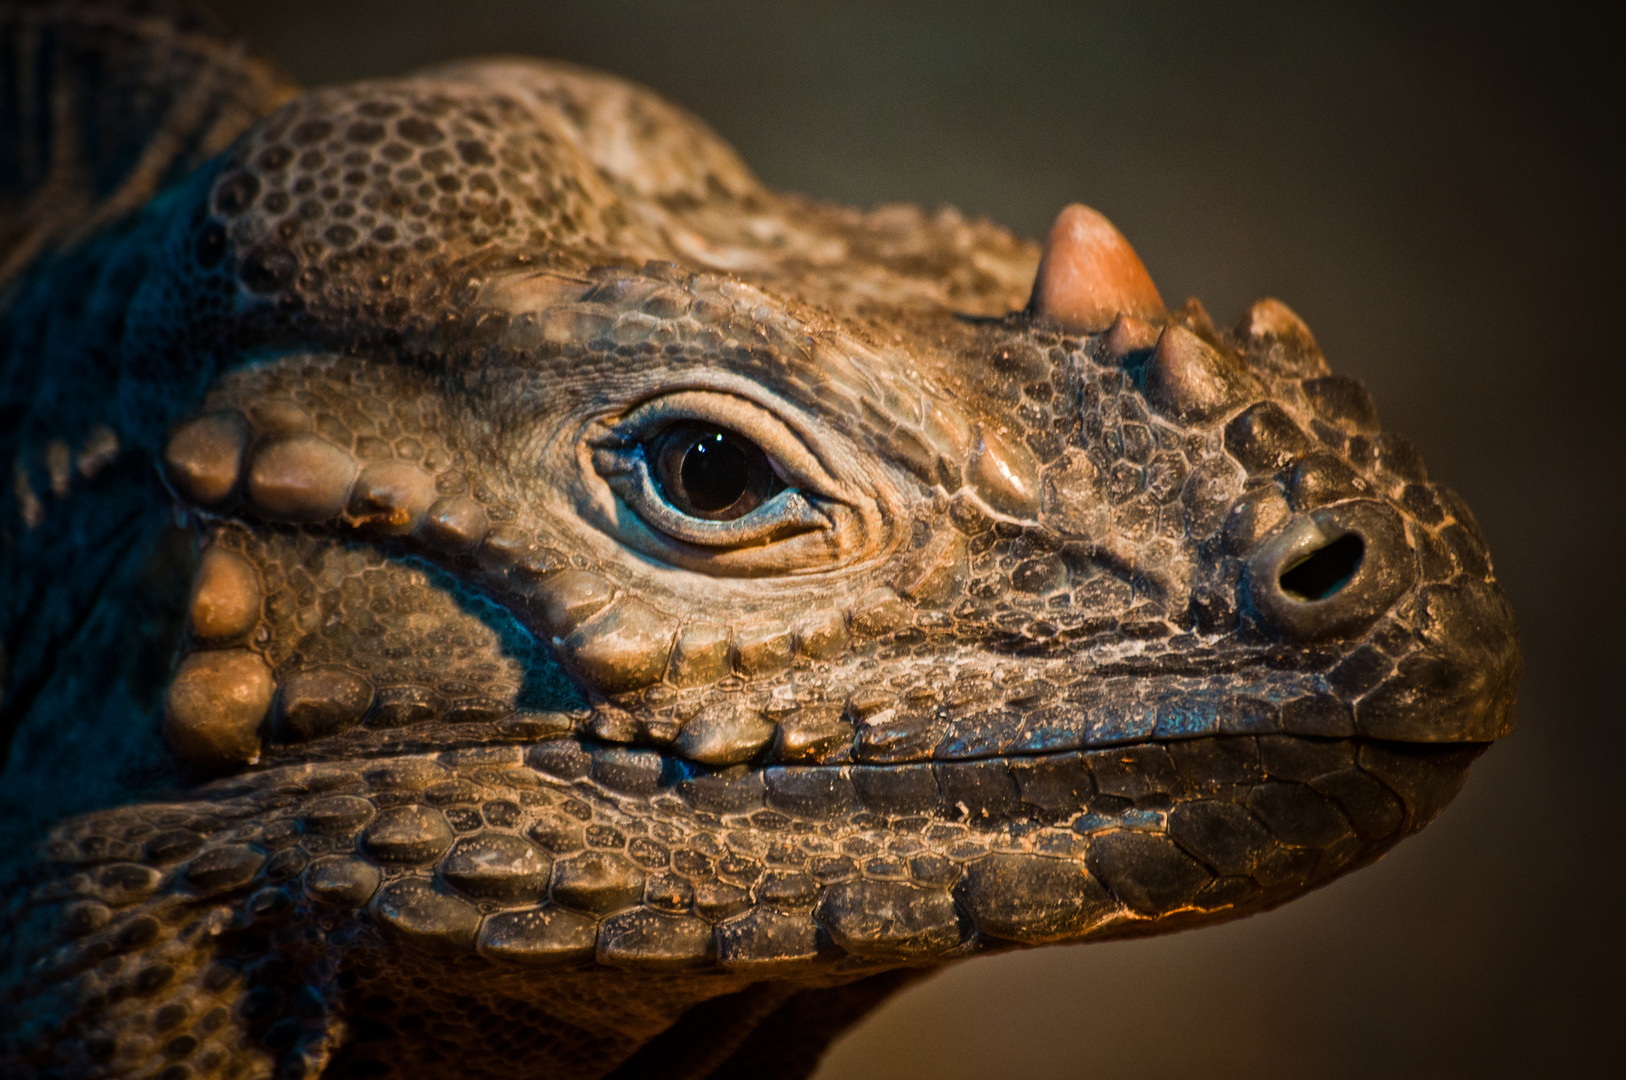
{"x": 827, "y": 873}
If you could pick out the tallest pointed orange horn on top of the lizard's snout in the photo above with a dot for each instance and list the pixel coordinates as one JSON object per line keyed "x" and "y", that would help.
{"x": 1090, "y": 274}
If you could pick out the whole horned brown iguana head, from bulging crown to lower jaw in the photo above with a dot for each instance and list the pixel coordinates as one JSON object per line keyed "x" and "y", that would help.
{"x": 624, "y": 564}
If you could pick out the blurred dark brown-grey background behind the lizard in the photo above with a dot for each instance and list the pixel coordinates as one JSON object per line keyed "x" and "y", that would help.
{"x": 1437, "y": 193}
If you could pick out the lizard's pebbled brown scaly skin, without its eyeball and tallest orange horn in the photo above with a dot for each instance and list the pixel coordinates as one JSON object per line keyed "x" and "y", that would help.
{"x": 372, "y": 716}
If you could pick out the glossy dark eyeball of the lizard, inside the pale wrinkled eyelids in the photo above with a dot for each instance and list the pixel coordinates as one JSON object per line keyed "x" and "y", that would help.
{"x": 710, "y": 472}
